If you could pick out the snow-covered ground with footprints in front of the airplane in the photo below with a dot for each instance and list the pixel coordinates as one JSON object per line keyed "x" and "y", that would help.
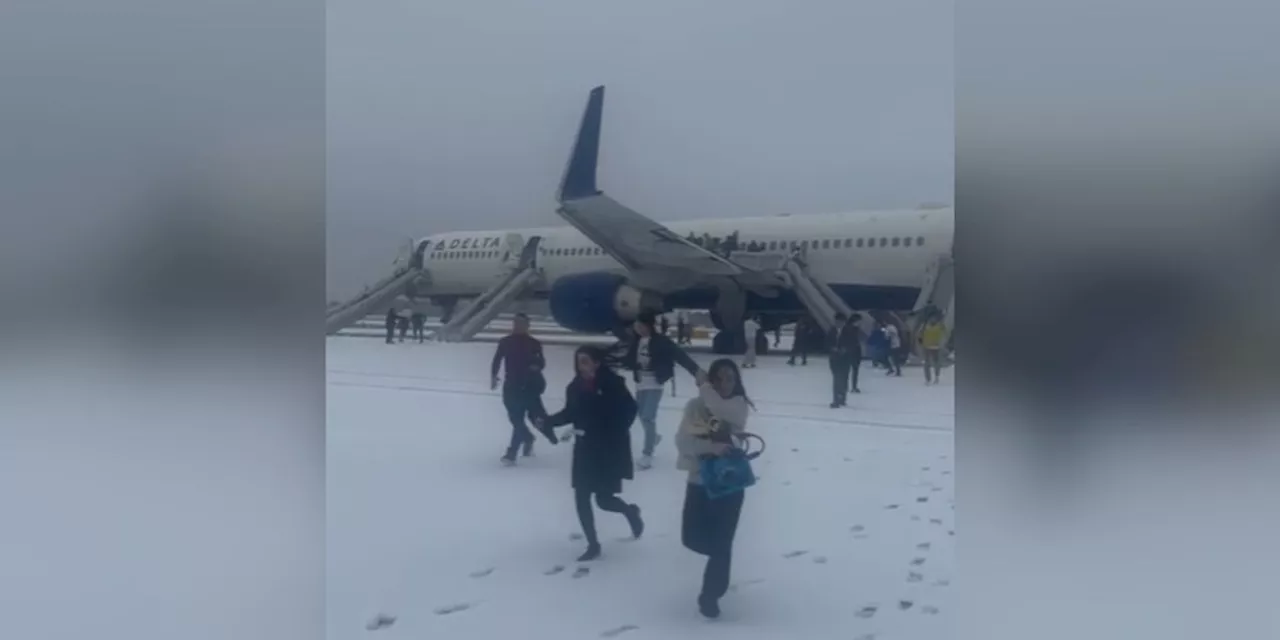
{"x": 848, "y": 536}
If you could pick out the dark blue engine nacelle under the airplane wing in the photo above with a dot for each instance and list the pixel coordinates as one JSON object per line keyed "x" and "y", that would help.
{"x": 598, "y": 303}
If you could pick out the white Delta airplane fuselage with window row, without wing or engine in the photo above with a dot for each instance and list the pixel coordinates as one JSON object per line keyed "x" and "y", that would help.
{"x": 874, "y": 260}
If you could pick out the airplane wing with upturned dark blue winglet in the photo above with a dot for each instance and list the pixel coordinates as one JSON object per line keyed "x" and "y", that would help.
{"x": 632, "y": 239}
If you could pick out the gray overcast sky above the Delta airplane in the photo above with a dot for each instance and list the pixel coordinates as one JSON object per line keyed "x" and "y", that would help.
{"x": 460, "y": 116}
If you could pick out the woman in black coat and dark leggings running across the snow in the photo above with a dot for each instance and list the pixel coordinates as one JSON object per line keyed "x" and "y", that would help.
{"x": 601, "y": 409}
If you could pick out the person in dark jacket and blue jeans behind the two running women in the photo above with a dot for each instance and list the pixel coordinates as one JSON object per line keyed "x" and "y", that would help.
{"x": 652, "y": 359}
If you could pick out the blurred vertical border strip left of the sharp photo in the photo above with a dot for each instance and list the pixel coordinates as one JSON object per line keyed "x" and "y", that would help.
{"x": 162, "y": 405}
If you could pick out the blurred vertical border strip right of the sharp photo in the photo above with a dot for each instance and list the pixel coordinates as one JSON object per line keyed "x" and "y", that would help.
{"x": 1117, "y": 216}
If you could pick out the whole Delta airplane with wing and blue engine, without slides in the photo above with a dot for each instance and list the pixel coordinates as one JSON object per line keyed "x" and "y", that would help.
{"x": 611, "y": 263}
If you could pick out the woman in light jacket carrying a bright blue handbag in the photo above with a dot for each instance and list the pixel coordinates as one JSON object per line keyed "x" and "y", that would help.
{"x": 711, "y": 444}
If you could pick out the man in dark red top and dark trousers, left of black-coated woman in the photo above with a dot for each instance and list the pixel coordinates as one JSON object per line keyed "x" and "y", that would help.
{"x": 523, "y": 387}
